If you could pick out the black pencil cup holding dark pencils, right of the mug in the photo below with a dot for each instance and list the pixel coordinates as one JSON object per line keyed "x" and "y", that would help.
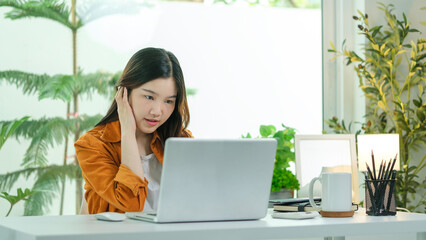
{"x": 380, "y": 199}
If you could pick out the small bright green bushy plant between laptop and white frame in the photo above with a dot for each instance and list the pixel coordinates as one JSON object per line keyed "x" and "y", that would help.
{"x": 283, "y": 180}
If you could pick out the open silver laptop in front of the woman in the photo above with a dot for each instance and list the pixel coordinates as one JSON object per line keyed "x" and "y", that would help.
{"x": 213, "y": 180}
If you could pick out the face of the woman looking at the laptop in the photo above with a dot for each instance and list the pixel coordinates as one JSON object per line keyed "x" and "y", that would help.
{"x": 153, "y": 103}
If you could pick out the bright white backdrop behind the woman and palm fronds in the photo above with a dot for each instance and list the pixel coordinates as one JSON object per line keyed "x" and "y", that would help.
{"x": 251, "y": 66}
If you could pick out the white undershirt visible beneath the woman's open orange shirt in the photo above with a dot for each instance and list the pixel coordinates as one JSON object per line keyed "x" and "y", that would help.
{"x": 152, "y": 171}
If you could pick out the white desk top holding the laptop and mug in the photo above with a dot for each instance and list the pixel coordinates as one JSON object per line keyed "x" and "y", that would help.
{"x": 87, "y": 227}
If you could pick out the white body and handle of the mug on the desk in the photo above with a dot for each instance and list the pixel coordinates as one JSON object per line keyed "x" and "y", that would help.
{"x": 336, "y": 192}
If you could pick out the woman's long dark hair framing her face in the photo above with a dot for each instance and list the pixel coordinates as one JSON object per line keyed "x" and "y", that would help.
{"x": 144, "y": 66}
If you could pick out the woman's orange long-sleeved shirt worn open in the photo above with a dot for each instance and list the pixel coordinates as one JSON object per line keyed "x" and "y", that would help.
{"x": 111, "y": 186}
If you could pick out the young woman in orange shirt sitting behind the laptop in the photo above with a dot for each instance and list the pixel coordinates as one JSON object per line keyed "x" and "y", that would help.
{"x": 121, "y": 158}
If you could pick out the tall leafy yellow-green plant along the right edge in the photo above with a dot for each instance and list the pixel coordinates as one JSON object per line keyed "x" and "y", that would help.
{"x": 395, "y": 94}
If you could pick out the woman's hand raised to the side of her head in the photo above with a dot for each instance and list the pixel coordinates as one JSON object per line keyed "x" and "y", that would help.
{"x": 125, "y": 112}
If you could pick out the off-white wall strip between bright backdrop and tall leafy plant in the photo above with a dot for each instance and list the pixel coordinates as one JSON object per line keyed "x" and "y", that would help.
{"x": 342, "y": 96}
